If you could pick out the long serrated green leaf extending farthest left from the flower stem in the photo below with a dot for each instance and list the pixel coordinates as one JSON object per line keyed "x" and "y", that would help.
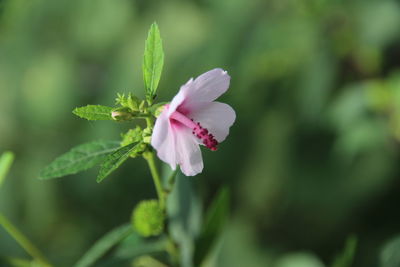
{"x": 79, "y": 159}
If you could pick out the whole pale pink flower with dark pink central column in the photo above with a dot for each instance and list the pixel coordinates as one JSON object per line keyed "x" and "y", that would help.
{"x": 193, "y": 118}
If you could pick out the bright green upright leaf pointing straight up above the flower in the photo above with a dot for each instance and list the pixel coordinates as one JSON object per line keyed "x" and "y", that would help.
{"x": 153, "y": 62}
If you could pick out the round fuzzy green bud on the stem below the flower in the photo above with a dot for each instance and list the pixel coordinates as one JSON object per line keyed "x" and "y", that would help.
{"x": 148, "y": 218}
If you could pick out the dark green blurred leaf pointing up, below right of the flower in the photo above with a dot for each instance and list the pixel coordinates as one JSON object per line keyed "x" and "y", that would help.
{"x": 216, "y": 217}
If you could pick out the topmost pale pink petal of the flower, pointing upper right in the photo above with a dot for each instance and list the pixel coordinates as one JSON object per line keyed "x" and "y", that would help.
{"x": 207, "y": 87}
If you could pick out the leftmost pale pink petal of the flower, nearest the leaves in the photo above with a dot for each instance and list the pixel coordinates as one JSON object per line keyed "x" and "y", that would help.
{"x": 163, "y": 139}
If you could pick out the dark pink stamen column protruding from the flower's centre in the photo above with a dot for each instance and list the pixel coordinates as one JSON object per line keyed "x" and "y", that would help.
{"x": 197, "y": 130}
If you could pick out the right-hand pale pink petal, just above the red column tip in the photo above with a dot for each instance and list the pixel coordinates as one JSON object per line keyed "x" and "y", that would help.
{"x": 216, "y": 117}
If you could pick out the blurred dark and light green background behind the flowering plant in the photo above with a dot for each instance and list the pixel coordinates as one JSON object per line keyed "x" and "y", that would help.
{"x": 312, "y": 158}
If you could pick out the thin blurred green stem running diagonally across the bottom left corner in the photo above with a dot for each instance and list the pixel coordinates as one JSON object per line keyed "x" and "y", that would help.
{"x": 23, "y": 241}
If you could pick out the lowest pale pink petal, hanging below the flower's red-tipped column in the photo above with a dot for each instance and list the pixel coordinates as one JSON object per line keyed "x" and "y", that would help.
{"x": 188, "y": 152}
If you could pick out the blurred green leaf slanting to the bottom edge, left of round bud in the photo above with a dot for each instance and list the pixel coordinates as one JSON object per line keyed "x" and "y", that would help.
{"x": 104, "y": 244}
